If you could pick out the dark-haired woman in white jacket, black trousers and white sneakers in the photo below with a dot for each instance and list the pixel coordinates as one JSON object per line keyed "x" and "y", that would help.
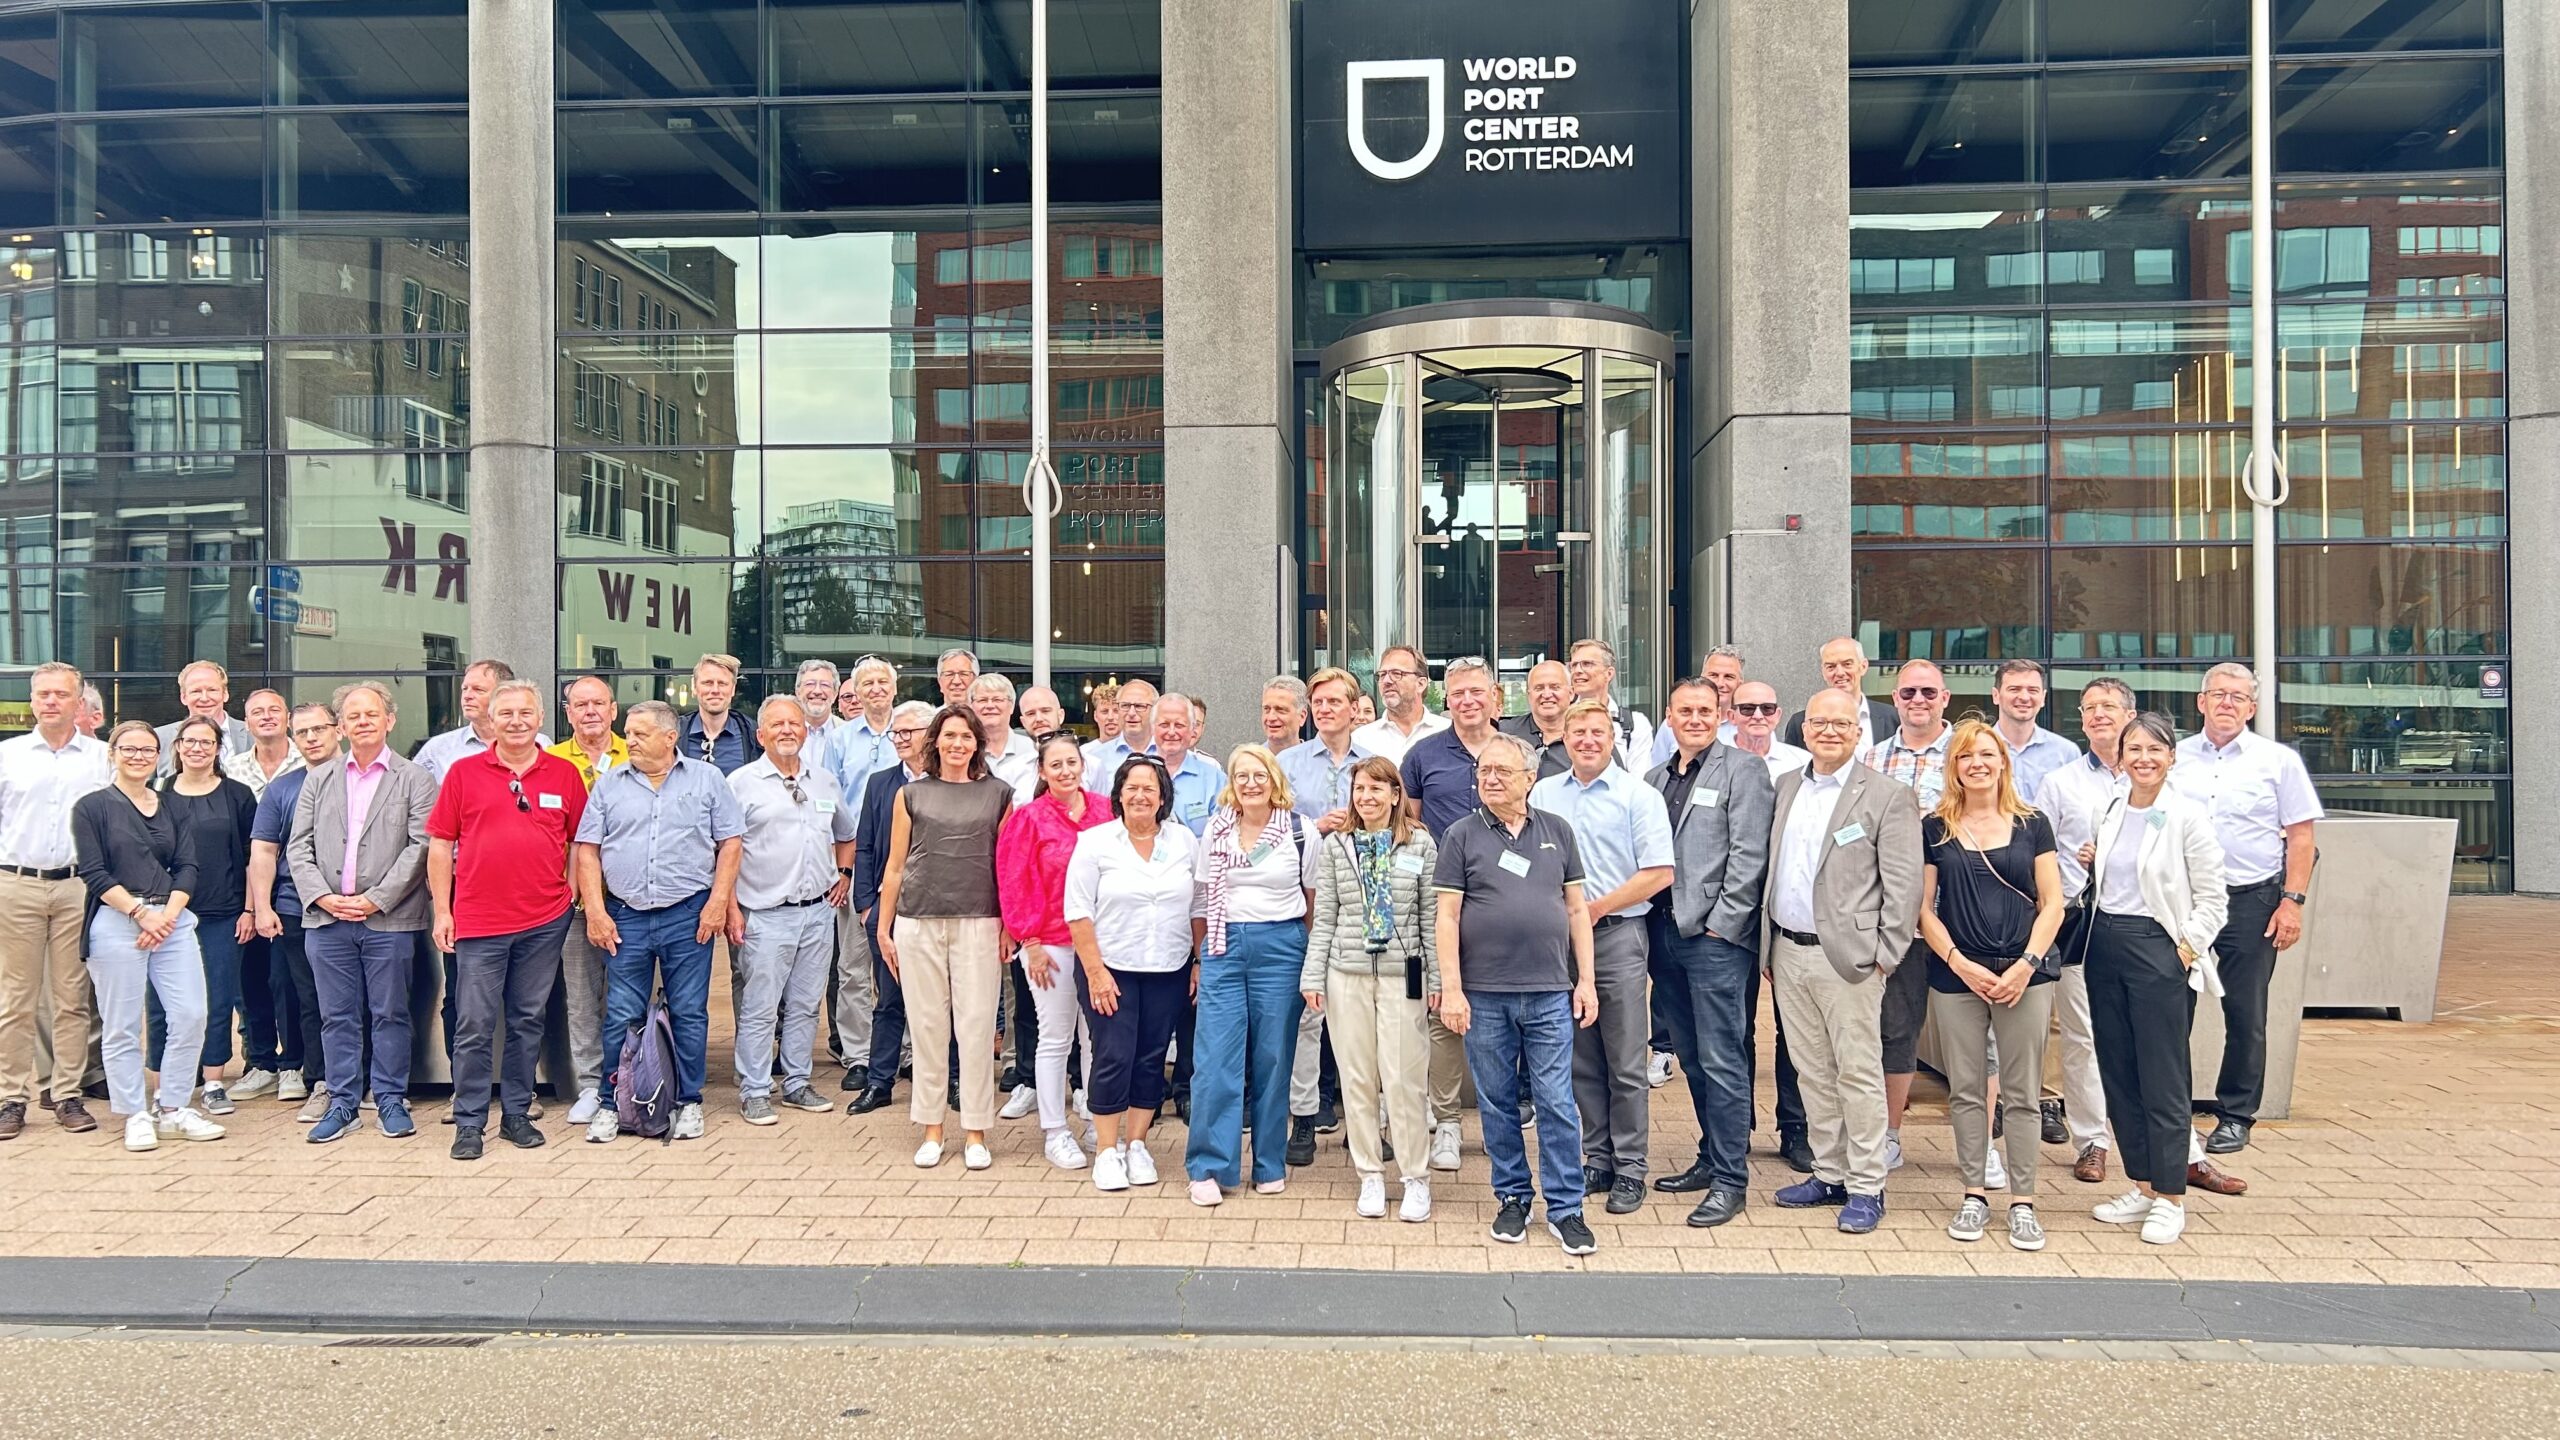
{"x": 2159, "y": 903}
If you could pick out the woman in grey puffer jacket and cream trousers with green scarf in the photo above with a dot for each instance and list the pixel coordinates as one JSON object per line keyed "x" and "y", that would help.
{"x": 1373, "y": 967}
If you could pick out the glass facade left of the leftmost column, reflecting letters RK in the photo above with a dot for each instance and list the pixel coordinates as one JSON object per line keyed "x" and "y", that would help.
{"x": 234, "y": 347}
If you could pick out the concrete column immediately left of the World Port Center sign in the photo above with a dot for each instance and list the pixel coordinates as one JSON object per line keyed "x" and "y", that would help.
{"x": 1230, "y": 480}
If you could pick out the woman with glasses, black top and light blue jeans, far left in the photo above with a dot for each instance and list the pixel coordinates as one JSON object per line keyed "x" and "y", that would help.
{"x": 140, "y": 870}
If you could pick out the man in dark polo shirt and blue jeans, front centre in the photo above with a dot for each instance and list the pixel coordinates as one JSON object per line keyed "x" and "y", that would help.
{"x": 1517, "y": 980}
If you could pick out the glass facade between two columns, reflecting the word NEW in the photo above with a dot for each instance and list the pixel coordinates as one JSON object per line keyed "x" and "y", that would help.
{"x": 795, "y": 368}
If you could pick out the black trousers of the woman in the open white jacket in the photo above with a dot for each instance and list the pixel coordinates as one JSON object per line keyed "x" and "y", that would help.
{"x": 2139, "y": 1016}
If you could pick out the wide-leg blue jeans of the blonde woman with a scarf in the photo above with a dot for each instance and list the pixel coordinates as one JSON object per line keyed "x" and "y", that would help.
{"x": 1248, "y": 1036}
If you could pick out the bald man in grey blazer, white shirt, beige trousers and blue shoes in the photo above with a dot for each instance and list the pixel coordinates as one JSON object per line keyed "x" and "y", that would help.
{"x": 1842, "y": 903}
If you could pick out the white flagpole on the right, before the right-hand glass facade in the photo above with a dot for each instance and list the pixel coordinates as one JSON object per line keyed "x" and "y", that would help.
{"x": 2267, "y": 480}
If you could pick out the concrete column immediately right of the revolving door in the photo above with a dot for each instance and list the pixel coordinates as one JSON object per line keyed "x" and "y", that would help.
{"x": 1770, "y": 319}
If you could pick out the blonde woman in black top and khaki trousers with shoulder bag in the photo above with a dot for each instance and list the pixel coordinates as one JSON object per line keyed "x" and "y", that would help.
{"x": 1990, "y": 906}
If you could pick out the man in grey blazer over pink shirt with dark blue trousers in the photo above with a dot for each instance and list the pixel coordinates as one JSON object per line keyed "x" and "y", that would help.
{"x": 360, "y": 857}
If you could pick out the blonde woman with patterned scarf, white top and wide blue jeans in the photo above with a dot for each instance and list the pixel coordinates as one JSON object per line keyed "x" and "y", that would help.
{"x": 1253, "y": 901}
